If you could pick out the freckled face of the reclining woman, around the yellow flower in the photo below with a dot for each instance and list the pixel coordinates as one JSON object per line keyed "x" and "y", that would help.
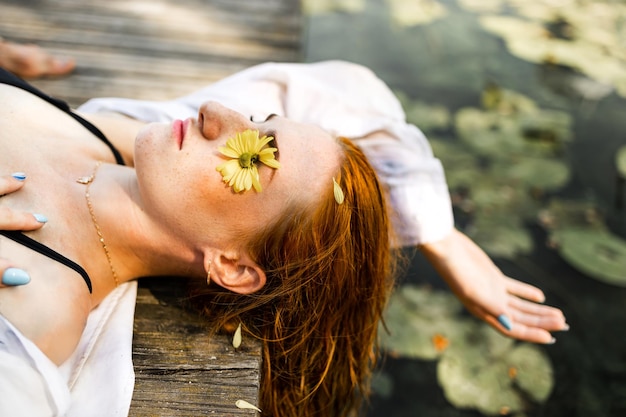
{"x": 176, "y": 167}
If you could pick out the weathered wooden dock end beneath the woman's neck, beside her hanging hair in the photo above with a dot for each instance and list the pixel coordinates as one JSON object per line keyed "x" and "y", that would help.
{"x": 181, "y": 370}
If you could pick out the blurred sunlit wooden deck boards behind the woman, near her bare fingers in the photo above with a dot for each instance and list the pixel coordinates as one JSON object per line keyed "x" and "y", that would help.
{"x": 157, "y": 49}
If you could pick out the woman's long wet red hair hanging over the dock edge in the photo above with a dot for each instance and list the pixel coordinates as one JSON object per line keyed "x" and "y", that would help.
{"x": 329, "y": 275}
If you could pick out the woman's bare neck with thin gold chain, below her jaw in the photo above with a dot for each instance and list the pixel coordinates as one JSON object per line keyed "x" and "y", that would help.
{"x": 133, "y": 240}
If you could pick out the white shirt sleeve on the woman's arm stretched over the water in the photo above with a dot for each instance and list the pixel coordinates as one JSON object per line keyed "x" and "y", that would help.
{"x": 345, "y": 99}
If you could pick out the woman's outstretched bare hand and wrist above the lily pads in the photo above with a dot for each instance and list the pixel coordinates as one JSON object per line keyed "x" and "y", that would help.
{"x": 510, "y": 306}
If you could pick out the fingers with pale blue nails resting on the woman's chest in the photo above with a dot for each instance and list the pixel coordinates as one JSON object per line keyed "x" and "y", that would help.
{"x": 15, "y": 220}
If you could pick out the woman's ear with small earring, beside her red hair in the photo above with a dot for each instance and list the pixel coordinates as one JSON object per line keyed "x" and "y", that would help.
{"x": 235, "y": 272}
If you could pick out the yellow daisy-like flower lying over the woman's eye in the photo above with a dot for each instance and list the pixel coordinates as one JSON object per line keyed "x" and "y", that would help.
{"x": 246, "y": 149}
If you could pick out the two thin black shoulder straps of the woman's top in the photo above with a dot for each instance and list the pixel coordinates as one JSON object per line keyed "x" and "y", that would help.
{"x": 10, "y": 79}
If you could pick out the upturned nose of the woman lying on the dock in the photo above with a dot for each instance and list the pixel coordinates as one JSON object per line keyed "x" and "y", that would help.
{"x": 216, "y": 120}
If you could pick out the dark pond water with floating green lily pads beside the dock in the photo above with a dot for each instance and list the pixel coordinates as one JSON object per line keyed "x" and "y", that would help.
{"x": 524, "y": 104}
